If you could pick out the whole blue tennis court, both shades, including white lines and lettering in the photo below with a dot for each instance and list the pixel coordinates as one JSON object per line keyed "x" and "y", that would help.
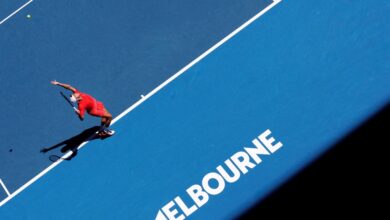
{"x": 192, "y": 85}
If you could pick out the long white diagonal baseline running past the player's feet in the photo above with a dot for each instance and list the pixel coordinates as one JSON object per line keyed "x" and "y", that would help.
{"x": 154, "y": 91}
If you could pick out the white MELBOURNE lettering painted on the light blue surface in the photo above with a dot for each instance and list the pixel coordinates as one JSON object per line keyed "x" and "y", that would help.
{"x": 240, "y": 161}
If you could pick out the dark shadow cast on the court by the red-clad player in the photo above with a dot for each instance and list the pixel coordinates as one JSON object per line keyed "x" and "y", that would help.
{"x": 74, "y": 142}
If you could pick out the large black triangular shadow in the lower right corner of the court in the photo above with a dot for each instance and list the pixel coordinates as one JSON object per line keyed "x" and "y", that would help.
{"x": 352, "y": 172}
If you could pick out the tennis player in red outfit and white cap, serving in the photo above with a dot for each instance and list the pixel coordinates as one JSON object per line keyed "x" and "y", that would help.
{"x": 86, "y": 103}
